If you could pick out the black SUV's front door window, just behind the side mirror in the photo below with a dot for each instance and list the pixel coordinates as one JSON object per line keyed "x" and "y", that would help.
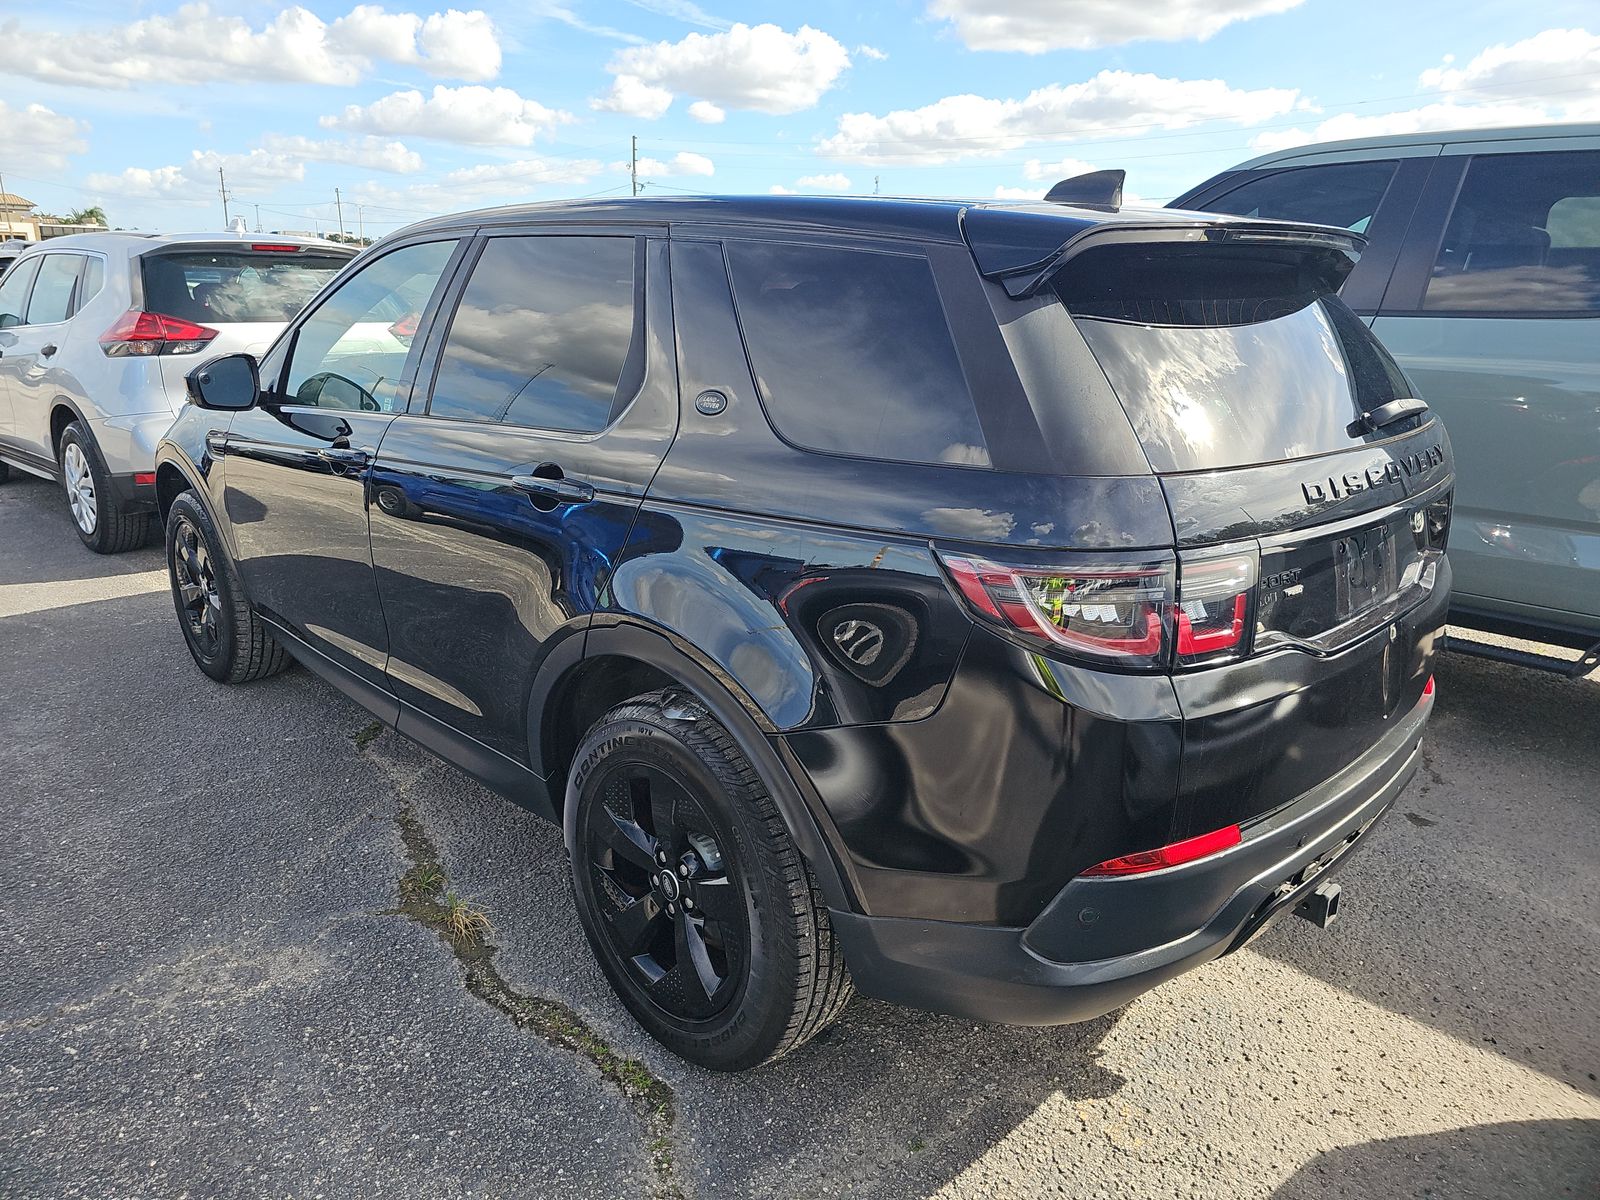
{"x": 351, "y": 353}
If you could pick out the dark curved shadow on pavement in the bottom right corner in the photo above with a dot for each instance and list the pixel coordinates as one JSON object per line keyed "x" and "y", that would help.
{"x": 1542, "y": 1159}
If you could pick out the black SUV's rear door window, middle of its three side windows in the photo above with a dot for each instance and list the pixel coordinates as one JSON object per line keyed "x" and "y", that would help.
{"x": 542, "y": 334}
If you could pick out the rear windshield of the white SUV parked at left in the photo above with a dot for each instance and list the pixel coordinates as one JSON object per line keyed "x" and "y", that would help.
{"x": 228, "y": 287}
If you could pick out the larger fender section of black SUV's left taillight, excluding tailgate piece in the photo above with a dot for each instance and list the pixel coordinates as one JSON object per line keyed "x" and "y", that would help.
{"x": 1110, "y": 612}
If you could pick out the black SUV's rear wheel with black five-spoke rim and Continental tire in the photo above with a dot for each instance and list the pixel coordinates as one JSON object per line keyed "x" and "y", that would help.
{"x": 697, "y": 902}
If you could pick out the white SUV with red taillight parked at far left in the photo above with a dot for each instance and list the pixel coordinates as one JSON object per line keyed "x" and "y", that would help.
{"x": 97, "y": 335}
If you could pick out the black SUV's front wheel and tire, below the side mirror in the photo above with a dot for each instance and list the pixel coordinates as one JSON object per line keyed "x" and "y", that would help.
{"x": 223, "y": 633}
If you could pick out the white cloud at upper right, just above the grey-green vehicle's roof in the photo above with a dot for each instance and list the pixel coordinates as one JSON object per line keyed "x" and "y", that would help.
{"x": 1548, "y": 78}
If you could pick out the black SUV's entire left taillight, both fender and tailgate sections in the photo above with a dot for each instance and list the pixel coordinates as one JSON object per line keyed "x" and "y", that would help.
{"x": 1140, "y": 615}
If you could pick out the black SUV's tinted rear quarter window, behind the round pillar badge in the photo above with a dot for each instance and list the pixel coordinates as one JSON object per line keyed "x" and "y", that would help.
{"x": 854, "y": 354}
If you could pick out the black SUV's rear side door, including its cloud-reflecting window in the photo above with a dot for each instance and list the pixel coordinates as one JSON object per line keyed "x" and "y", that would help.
{"x": 502, "y": 500}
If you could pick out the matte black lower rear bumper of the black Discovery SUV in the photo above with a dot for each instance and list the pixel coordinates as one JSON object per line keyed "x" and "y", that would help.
{"x": 1033, "y": 977}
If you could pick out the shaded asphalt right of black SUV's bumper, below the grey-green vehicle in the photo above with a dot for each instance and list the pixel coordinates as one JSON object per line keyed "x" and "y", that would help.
{"x": 1492, "y": 849}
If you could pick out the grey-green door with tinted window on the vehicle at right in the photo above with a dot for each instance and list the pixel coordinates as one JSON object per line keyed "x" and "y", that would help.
{"x": 1495, "y": 314}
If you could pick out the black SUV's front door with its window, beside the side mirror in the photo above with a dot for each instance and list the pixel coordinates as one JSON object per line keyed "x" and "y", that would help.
{"x": 297, "y": 468}
